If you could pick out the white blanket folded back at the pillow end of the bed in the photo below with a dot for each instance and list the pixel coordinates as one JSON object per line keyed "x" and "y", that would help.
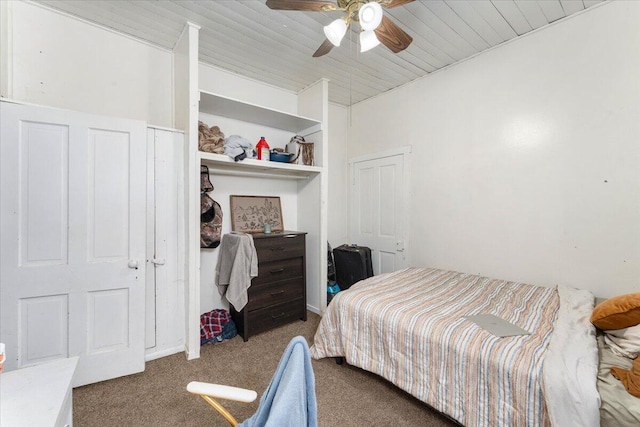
{"x": 571, "y": 363}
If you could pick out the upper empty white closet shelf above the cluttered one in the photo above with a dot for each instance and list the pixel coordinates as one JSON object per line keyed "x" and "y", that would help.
{"x": 238, "y": 110}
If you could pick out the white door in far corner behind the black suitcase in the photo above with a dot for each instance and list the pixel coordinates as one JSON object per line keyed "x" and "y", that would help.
{"x": 377, "y": 211}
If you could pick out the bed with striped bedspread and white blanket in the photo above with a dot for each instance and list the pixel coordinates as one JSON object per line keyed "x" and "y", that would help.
{"x": 409, "y": 327}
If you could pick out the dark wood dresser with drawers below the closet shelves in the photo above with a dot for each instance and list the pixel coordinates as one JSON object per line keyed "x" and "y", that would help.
{"x": 279, "y": 294}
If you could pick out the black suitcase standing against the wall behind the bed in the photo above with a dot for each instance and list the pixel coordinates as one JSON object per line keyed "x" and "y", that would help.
{"x": 352, "y": 264}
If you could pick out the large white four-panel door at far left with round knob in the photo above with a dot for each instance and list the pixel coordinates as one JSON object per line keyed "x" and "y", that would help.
{"x": 73, "y": 232}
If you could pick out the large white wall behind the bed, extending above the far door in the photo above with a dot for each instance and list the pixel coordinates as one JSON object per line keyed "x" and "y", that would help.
{"x": 525, "y": 161}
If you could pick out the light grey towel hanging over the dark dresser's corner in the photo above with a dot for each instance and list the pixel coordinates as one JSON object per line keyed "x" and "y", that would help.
{"x": 237, "y": 265}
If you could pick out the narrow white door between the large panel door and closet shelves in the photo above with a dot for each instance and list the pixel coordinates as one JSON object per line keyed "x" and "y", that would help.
{"x": 165, "y": 315}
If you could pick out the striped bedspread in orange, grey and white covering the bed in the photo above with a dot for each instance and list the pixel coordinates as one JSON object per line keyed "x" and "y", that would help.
{"x": 408, "y": 327}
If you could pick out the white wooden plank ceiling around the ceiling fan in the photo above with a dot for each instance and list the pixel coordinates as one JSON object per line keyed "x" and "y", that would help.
{"x": 275, "y": 47}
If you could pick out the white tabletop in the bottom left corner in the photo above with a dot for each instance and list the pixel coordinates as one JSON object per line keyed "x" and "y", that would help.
{"x": 38, "y": 395}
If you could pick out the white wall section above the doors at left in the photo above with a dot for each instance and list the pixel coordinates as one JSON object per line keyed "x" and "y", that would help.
{"x": 61, "y": 61}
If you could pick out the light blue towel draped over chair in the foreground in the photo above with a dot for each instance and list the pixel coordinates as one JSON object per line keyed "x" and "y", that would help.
{"x": 290, "y": 399}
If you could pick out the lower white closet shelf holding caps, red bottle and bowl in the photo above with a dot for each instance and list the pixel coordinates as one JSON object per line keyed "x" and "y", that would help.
{"x": 224, "y": 163}
